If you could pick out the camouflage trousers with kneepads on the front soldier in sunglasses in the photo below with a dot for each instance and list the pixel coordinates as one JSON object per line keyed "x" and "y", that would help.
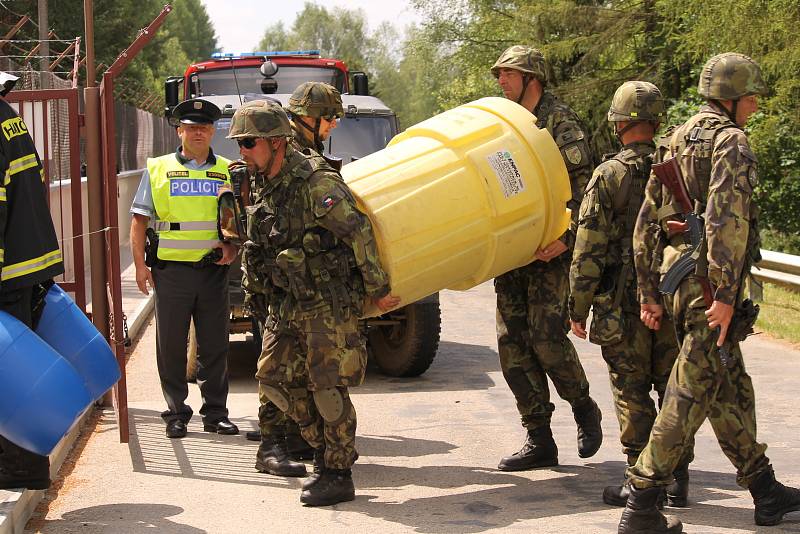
{"x": 316, "y": 355}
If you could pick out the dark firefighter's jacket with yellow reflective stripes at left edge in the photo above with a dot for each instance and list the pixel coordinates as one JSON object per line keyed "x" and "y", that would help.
{"x": 29, "y": 252}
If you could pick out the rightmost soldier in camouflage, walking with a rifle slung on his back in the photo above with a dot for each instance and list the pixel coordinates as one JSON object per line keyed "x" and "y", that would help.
{"x": 719, "y": 169}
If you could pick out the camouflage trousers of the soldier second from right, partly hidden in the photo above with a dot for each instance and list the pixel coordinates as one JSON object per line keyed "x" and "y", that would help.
{"x": 637, "y": 364}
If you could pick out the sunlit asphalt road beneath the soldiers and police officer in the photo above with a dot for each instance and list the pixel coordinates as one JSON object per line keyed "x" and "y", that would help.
{"x": 429, "y": 449}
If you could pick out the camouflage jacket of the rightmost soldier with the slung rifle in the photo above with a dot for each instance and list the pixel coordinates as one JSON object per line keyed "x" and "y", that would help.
{"x": 719, "y": 169}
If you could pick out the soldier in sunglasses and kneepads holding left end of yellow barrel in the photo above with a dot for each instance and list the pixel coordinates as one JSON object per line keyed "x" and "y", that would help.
{"x": 312, "y": 255}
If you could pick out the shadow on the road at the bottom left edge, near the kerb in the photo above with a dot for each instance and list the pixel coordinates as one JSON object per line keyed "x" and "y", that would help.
{"x": 122, "y": 517}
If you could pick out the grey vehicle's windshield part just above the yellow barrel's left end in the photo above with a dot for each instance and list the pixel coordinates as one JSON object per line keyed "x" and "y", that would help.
{"x": 359, "y": 136}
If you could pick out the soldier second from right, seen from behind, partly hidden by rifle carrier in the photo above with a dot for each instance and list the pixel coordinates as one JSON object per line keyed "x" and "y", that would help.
{"x": 602, "y": 276}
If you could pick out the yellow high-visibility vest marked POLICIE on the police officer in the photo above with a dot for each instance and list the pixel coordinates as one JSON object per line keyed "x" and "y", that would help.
{"x": 185, "y": 202}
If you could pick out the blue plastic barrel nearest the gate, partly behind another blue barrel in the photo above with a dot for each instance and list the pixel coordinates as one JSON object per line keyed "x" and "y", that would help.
{"x": 65, "y": 328}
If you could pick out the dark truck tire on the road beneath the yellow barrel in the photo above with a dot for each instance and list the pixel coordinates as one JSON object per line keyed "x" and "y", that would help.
{"x": 407, "y": 349}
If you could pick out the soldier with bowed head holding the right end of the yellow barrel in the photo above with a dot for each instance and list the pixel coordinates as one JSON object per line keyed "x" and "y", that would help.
{"x": 532, "y": 322}
